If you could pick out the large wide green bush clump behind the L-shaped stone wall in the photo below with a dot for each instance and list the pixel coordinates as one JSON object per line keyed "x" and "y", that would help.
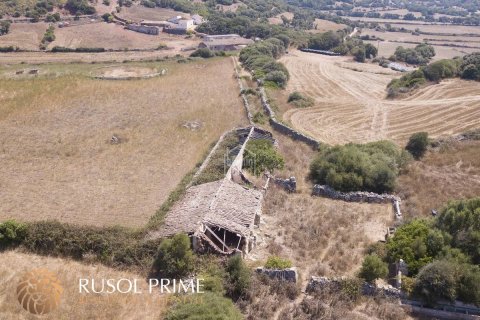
{"x": 353, "y": 167}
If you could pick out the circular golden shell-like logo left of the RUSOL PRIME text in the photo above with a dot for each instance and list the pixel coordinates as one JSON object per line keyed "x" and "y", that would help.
{"x": 39, "y": 291}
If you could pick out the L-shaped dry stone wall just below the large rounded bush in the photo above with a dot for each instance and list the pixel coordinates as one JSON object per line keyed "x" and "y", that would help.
{"x": 370, "y": 197}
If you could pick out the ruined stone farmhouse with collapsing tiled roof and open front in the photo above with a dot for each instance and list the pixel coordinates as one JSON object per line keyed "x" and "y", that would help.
{"x": 220, "y": 216}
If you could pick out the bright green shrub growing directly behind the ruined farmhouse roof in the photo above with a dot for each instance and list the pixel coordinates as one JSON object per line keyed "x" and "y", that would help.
{"x": 261, "y": 155}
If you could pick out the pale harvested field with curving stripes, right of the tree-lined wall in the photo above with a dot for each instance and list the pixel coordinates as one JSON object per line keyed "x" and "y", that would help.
{"x": 350, "y": 105}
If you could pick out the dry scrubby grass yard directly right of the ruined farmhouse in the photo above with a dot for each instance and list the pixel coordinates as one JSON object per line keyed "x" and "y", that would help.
{"x": 319, "y": 235}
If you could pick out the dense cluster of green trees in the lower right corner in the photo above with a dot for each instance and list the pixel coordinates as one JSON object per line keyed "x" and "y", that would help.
{"x": 443, "y": 253}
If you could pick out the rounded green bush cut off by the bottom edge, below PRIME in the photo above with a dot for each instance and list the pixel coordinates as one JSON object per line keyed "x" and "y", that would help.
{"x": 205, "y": 306}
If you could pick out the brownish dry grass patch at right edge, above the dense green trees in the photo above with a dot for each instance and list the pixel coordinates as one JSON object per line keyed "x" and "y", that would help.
{"x": 452, "y": 172}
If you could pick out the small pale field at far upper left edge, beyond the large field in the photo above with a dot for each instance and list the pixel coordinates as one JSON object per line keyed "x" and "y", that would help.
{"x": 26, "y": 36}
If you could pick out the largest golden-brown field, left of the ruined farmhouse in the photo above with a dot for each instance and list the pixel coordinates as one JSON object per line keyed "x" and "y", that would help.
{"x": 55, "y": 130}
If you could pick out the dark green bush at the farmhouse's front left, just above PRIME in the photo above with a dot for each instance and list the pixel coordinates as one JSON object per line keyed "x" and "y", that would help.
{"x": 175, "y": 257}
